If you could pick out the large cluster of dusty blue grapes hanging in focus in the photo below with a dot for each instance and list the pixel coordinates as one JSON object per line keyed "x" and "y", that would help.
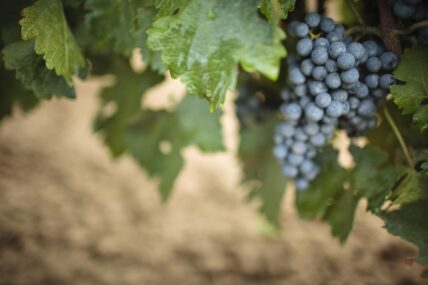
{"x": 332, "y": 82}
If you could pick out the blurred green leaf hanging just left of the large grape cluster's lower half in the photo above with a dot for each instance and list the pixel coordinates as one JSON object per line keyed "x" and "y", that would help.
{"x": 262, "y": 172}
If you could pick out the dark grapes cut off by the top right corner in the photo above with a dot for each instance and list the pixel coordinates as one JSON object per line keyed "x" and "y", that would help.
{"x": 412, "y": 11}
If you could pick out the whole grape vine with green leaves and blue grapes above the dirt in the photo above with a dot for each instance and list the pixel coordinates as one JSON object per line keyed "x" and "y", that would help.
{"x": 302, "y": 76}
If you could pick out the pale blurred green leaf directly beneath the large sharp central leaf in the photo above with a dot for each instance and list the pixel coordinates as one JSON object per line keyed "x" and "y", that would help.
{"x": 198, "y": 127}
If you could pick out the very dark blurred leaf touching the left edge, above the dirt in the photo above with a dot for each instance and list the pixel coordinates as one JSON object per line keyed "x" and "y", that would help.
{"x": 11, "y": 93}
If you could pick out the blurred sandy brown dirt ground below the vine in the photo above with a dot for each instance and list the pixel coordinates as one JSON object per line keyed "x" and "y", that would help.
{"x": 69, "y": 214}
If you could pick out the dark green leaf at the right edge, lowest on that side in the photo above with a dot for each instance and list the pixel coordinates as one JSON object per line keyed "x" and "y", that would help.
{"x": 410, "y": 223}
